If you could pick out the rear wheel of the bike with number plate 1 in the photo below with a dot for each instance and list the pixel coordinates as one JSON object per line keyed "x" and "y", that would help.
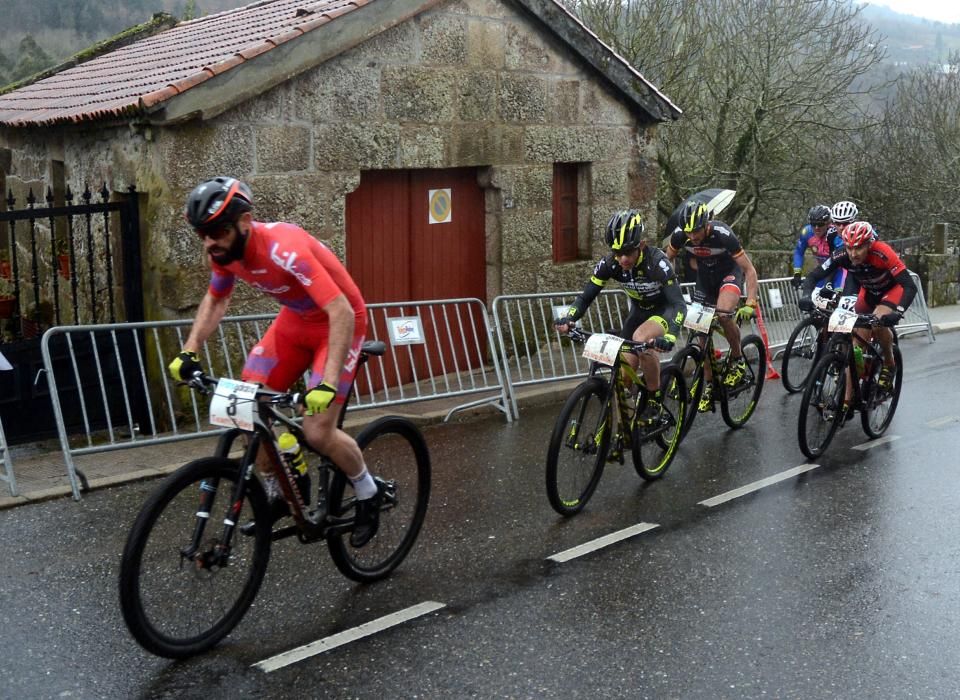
{"x": 654, "y": 446}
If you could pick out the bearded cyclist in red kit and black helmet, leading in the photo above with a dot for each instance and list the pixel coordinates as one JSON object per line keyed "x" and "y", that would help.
{"x": 320, "y": 327}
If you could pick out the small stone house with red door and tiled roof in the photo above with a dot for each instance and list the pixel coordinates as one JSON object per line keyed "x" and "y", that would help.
{"x": 445, "y": 148}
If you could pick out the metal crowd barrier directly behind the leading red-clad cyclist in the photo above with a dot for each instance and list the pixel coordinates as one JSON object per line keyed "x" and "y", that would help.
{"x": 111, "y": 379}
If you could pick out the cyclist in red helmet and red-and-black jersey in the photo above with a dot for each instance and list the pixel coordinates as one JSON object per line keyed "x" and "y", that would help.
{"x": 886, "y": 287}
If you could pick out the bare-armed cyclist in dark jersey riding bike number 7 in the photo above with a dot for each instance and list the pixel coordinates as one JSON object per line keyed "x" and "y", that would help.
{"x": 724, "y": 272}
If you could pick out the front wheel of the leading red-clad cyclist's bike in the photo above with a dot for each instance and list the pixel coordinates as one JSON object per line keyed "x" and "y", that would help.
{"x": 182, "y": 587}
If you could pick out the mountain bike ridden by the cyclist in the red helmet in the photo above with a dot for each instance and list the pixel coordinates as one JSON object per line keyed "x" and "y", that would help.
{"x": 821, "y": 408}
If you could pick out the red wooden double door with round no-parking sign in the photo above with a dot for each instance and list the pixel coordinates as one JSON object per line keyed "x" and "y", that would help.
{"x": 413, "y": 236}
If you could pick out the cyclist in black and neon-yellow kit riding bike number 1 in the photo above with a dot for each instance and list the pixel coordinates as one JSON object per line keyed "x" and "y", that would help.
{"x": 656, "y": 304}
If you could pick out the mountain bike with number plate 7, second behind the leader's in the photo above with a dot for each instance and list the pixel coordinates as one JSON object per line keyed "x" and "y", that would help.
{"x": 737, "y": 403}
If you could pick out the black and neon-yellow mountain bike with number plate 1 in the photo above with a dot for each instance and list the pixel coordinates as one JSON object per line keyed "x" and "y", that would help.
{"x": 597, "y": 423}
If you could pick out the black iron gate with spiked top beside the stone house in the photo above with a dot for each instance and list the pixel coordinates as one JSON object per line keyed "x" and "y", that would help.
{"x": 70, "y": 264}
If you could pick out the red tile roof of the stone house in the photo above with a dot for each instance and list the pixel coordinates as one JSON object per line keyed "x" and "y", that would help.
{"x": 152, "y": 70}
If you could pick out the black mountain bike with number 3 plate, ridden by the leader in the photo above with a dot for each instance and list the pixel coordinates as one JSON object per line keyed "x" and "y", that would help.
{"x": 198, "y": 550}
